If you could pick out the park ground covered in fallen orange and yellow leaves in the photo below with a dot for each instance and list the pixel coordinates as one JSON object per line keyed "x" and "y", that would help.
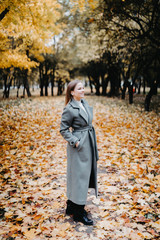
{"x": 33, "y": 172}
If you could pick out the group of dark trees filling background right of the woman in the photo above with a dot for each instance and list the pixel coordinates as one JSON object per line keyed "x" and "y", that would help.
{"x": 135, "y": 62}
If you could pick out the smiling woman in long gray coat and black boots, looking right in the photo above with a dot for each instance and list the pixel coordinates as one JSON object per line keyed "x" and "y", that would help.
{"x": 82, "y": 154}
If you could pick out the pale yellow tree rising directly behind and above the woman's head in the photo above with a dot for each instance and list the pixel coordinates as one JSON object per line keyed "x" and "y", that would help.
{"x": 80, "y": 43}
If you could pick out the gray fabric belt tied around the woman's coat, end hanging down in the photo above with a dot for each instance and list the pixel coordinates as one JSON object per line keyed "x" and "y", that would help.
{"x": 92, "y": 135}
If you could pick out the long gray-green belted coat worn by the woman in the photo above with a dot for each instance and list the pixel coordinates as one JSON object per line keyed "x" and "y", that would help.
{"x": 76, "y": 125}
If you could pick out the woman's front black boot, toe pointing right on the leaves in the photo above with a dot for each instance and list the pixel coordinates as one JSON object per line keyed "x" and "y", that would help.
{"x": 80, "y": 215}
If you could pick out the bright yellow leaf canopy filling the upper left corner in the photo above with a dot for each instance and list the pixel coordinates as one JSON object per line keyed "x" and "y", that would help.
{"x": 28, "y": 25}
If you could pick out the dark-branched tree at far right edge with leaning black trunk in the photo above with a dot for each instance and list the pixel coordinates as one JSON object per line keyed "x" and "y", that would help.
{"x": 138, "y": 35}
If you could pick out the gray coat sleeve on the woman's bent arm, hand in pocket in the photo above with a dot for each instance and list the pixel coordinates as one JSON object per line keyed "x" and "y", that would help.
{"x": 66, "y": 123}
